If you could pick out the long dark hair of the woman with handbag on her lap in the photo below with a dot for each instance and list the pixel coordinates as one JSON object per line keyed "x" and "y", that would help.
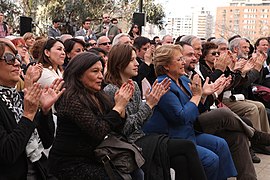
{"x": 97, "y": 101}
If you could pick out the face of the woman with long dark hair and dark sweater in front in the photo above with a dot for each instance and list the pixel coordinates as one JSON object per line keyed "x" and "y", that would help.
{"x": 92, "y": 78}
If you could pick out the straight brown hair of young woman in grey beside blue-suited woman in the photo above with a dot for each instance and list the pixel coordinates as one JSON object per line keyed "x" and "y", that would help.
{"x": 118, "y": 59}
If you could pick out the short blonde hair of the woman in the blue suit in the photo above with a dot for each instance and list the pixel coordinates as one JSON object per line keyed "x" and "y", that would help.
{"x": 163, "y": 56}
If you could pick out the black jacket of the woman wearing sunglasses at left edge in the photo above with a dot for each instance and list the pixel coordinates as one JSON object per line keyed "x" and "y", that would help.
{"x": 13, "y": 140}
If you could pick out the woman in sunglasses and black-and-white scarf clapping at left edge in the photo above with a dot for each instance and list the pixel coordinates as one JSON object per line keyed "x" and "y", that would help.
{"x": 25, "y": 129}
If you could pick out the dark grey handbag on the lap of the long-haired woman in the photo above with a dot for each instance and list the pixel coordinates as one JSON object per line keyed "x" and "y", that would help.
{"x": 116, "y": 153}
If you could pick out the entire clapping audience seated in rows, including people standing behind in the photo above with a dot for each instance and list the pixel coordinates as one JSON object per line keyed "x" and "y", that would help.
{"x": 197, "y": 106}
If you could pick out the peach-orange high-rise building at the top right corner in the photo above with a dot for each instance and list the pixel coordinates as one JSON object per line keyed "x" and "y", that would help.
{"x": 248, "y": 18}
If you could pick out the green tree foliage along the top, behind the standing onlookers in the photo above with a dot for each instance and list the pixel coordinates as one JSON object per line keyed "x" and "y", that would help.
{"x": 73, "y": 12}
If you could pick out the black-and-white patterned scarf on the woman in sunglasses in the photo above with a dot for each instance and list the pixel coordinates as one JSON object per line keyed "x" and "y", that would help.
{"x": 14, "y": 102}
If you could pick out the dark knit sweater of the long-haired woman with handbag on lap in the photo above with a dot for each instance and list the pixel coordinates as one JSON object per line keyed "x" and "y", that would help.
{"x": 79, "y": 131}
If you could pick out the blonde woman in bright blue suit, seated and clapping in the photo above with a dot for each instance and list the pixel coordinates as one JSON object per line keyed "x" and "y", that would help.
{"x": 178, "y": 110}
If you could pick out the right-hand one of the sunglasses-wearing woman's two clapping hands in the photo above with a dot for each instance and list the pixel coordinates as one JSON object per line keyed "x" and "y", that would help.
{"x": 51, "y": 94}
